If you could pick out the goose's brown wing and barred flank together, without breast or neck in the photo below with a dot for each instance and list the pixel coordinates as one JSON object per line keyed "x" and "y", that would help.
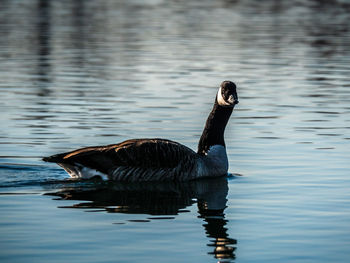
{"x": 133, "y": 160}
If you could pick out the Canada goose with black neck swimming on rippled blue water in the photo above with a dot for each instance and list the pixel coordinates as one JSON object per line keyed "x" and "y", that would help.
{"x": 155, "y": 159}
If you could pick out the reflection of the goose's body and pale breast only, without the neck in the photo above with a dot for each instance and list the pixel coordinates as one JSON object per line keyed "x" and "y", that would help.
{"x": 155, "y": 198}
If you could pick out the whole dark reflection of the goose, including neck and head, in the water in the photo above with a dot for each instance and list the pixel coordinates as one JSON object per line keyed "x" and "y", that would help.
{"x": 161, "y": 199}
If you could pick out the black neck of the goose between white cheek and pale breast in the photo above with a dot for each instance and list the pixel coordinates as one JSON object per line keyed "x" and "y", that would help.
{"x": 213, "y": 133}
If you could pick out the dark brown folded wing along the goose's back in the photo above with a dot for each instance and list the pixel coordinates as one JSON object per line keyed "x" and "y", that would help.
{"x": 155, "y": 153}
